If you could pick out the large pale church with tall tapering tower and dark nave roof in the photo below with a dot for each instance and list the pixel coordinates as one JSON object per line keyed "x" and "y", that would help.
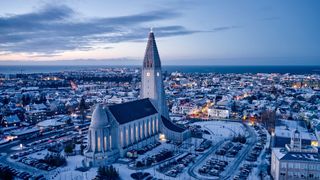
{"x": 116, "y": 129}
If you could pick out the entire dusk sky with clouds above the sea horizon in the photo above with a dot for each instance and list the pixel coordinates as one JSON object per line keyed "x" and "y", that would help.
{"x": 204, "y": 32}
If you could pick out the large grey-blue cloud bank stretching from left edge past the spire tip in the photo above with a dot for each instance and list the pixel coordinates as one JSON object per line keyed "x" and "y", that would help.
{"x": 55, "y": 29}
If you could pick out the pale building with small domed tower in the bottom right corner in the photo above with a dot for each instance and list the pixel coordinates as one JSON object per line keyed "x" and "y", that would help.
{"x": 295, "y": 161}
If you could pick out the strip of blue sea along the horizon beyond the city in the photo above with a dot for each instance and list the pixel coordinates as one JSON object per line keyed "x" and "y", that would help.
{"x": 223, "y": 69}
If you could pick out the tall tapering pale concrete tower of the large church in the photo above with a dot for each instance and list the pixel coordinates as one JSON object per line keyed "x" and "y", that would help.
{"x": 151, "y": 78}
